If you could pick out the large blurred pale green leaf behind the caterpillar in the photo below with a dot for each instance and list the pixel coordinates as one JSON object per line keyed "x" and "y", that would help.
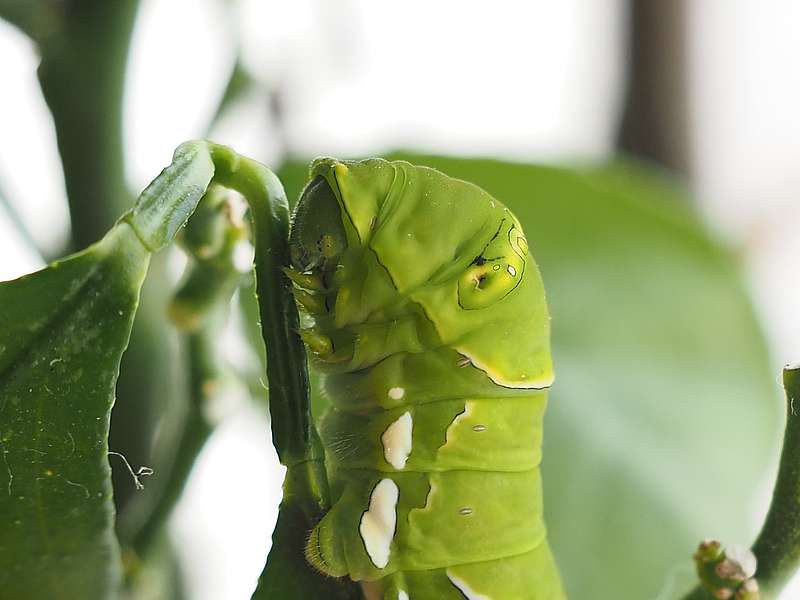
{"x": 664, "y": 411}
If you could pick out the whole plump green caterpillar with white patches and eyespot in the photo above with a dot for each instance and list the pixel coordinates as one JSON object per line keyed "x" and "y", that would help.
{"x": 430, "y": 322}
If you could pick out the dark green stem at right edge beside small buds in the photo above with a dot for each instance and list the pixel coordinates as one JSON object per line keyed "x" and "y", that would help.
{"x": 777, "y": 547}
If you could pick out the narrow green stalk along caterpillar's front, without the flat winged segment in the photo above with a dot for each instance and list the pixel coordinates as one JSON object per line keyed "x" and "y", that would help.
{"x": 306, "y": 497}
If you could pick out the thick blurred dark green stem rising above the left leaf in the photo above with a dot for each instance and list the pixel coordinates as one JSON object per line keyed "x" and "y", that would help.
{"x": 82, "y": 76}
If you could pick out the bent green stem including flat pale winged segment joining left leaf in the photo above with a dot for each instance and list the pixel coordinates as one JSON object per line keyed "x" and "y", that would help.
{"x": 162, "y": 210}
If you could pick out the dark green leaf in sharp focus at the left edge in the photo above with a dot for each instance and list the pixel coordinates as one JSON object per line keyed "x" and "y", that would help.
{"x": 62, "y": 334}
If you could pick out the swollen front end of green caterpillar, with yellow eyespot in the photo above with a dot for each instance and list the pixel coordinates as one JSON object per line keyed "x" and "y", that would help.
{"x": 381, "y": 238}
